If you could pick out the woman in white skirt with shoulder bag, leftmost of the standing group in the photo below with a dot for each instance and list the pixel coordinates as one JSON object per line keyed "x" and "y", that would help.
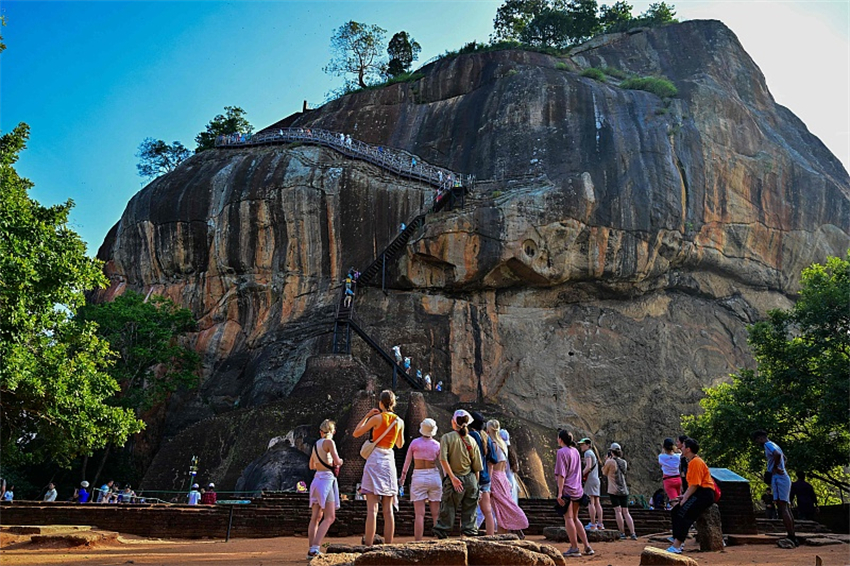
{"x": 324, "y": 490}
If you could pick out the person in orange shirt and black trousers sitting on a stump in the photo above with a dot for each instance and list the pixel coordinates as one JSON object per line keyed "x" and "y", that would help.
{"x": 698, "y": 497}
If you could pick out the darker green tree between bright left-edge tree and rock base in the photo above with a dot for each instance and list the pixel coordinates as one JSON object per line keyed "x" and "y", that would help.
{"x": 151, "y": 363}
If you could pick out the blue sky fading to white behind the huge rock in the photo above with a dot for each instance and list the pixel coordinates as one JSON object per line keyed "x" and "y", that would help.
{"x": 93, "y": 79}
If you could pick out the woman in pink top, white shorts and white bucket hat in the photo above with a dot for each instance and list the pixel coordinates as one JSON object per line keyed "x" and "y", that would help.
{"x": 427, "y": 484}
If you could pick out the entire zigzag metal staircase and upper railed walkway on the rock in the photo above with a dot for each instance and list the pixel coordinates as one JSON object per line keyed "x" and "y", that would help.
{"x": 451, "y": 188}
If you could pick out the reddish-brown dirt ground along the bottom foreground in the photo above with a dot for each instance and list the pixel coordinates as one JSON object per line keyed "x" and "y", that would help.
{"x": 17, "y": 551}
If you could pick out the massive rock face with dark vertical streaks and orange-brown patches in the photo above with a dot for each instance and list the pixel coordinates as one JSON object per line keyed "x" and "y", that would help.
{"x": 604, "y": 271}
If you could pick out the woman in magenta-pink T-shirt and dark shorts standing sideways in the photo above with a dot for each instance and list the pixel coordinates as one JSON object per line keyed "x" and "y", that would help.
{"x": 568, "y": 475}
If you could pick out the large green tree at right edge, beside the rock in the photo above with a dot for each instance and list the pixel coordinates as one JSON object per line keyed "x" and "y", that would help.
{"x": 800, "y": 392}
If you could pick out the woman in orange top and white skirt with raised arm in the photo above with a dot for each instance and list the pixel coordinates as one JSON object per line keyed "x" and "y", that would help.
{"x": 380, "y": 481}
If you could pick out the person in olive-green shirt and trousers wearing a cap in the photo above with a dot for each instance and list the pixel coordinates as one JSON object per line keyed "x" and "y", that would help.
{"x": 461, "y": 462}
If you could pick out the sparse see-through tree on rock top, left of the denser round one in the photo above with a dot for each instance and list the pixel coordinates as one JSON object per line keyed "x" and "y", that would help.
{"x": 357, "y": 51}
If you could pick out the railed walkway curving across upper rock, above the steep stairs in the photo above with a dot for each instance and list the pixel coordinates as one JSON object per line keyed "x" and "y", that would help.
{"x": 393, "y": 160}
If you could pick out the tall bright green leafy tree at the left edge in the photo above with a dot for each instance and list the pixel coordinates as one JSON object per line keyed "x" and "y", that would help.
{"x": 54, "y": 388}
